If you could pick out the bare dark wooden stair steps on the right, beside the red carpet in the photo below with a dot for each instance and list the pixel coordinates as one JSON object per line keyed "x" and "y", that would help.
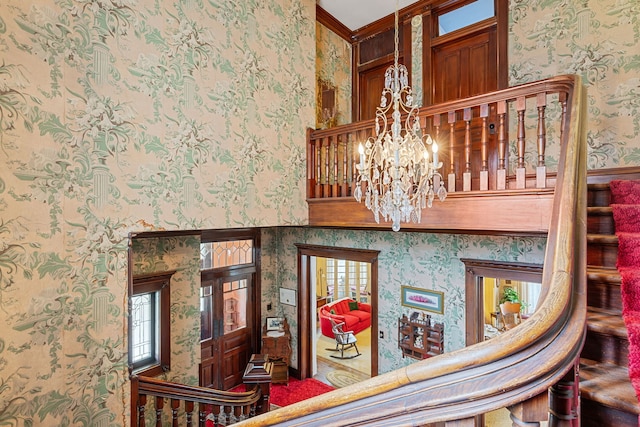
{"x": 607, "y": 397}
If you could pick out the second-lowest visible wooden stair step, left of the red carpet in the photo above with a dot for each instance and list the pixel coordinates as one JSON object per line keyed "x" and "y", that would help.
{"x": 607, "y": 339}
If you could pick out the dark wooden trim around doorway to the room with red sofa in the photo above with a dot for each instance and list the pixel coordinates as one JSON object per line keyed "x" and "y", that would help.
{"x": 305, "y": 252}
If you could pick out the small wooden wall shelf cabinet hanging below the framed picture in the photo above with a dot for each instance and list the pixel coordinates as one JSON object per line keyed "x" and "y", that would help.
{"x": 420, "y": 338}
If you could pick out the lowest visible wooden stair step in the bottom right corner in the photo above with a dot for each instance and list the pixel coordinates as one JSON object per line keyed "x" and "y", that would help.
{"x": 609, "y": 386}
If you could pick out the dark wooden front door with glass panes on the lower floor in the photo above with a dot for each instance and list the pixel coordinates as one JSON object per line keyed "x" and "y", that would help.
{"x": 227, "y": 327}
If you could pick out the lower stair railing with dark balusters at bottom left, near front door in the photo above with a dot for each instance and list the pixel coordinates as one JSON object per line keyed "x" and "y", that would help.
{"x": 221, "y": 406}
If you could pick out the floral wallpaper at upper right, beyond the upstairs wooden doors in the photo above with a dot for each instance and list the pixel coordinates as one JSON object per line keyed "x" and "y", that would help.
{"x": 597, "y": 40}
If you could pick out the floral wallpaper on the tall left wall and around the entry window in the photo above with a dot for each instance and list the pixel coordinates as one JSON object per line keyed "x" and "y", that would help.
{"x": 120, "y": 116}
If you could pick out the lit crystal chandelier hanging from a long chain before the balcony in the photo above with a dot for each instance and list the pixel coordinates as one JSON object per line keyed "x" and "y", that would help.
{"x": 395, "y": 170}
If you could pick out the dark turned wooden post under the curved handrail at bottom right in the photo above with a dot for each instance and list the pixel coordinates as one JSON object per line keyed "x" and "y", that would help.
{"x": 564, "y": 400}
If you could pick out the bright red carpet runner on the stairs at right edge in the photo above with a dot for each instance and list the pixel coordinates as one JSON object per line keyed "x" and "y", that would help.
{"x": 625, "y": 203}
